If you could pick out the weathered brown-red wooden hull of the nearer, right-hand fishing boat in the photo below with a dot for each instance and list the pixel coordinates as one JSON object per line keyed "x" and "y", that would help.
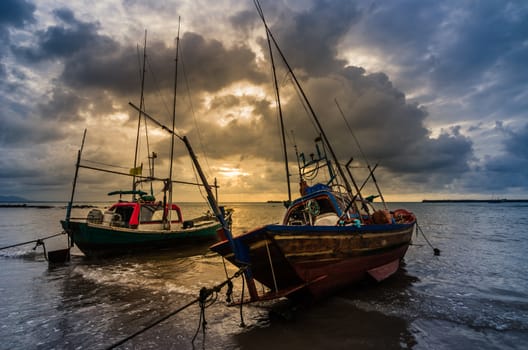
{"x": 321, "y": 259}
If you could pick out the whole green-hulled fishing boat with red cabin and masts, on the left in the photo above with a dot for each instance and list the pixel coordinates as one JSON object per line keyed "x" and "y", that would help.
{"x": 142, "y": 223}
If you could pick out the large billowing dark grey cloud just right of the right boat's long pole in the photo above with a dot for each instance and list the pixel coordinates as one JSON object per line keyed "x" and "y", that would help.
{"x": 392, "y": 131}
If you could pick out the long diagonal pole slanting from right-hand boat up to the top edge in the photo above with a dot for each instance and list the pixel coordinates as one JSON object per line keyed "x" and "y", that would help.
{"x": 312, "y": 112}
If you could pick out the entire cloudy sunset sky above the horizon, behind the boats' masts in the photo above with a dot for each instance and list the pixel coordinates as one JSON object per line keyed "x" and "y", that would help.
{"x": 434, "y": 92}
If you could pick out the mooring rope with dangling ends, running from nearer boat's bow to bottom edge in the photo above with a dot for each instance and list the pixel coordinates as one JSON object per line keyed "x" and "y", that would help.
{"x": 207, "y": 297}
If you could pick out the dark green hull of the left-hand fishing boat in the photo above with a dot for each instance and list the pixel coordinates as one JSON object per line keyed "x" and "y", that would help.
{"x": 99, "y": 240}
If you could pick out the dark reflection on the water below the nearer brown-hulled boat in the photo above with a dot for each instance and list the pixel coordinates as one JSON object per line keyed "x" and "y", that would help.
{"x": 339, "y": 322}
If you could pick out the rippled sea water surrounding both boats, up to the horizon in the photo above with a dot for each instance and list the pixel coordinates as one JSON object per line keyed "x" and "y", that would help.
{"x": 474, "y": 295}
